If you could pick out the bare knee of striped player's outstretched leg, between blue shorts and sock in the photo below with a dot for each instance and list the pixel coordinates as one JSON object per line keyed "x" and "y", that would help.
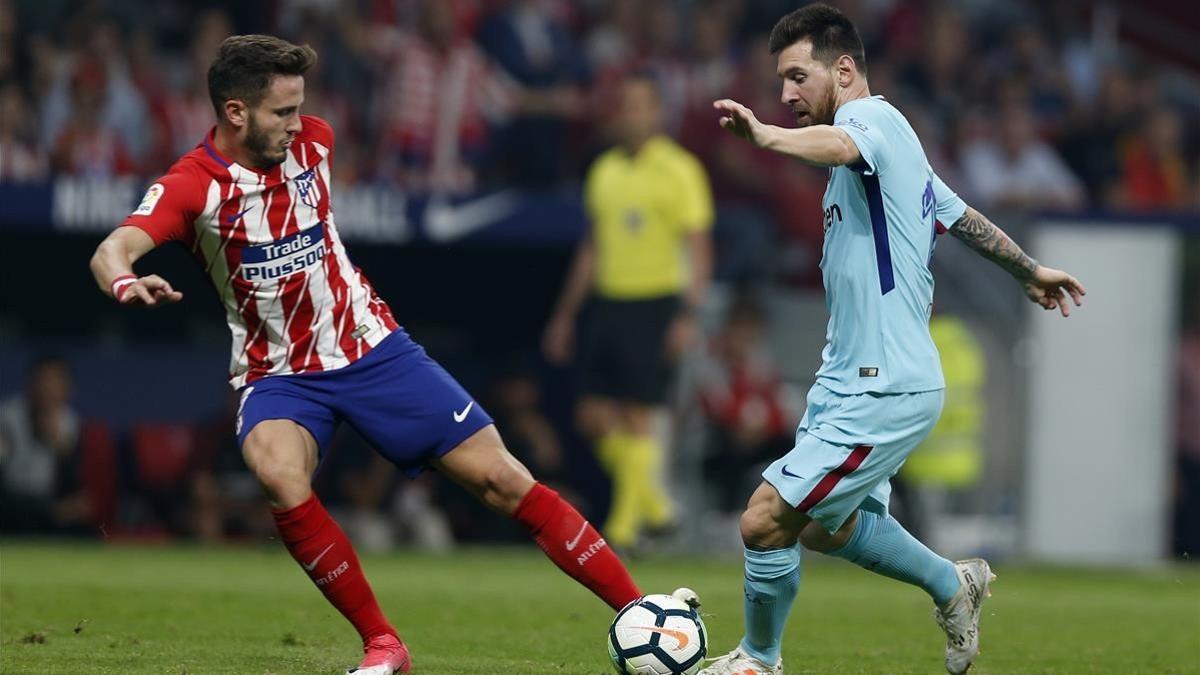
{"x": 485, "y": 468}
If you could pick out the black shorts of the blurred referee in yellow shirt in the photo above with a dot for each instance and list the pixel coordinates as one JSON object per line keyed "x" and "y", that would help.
{"x": 623, "y": 349}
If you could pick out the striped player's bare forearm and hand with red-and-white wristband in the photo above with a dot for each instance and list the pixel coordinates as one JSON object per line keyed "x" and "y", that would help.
{"x": 112, "y": 265}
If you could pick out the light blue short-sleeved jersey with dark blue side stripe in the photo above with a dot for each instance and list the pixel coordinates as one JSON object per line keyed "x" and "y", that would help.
{"x": 880, "y": 223}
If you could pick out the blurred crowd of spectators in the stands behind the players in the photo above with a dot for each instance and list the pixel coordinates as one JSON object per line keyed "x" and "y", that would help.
{"x": 1019, "y": 105}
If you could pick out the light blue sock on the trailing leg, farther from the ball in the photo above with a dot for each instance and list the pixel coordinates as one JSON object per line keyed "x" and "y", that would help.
{"x": 883, "y": 546}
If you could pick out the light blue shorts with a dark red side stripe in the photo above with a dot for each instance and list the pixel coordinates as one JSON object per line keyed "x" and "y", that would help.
{"x": 847, "y": 450}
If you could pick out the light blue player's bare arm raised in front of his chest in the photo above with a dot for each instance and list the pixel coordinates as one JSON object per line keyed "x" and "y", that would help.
{"x": 820, "y": 146}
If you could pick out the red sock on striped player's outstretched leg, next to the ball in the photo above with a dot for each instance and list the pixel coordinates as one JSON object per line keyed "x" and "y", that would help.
{"x": 575, "y": 547}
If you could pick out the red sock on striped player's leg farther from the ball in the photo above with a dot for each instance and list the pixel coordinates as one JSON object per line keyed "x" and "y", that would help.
{"x": 326, "y": 554}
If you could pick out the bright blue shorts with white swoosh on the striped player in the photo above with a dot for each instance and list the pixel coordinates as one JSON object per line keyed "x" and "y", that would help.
{"x": 398, "y": 398}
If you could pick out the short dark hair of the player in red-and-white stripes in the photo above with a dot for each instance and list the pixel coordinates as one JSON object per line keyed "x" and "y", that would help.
{"x": 245, "y": 65}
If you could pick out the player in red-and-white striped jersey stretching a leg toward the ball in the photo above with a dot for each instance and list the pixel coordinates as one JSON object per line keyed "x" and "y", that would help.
{"x": 314, "y": 344}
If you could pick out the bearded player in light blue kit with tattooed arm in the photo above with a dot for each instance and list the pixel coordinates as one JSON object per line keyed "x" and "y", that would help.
{"x": 879, "y": 391}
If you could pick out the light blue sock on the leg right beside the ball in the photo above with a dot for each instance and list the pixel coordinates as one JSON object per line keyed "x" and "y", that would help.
{"x": 772, "y": 580}
